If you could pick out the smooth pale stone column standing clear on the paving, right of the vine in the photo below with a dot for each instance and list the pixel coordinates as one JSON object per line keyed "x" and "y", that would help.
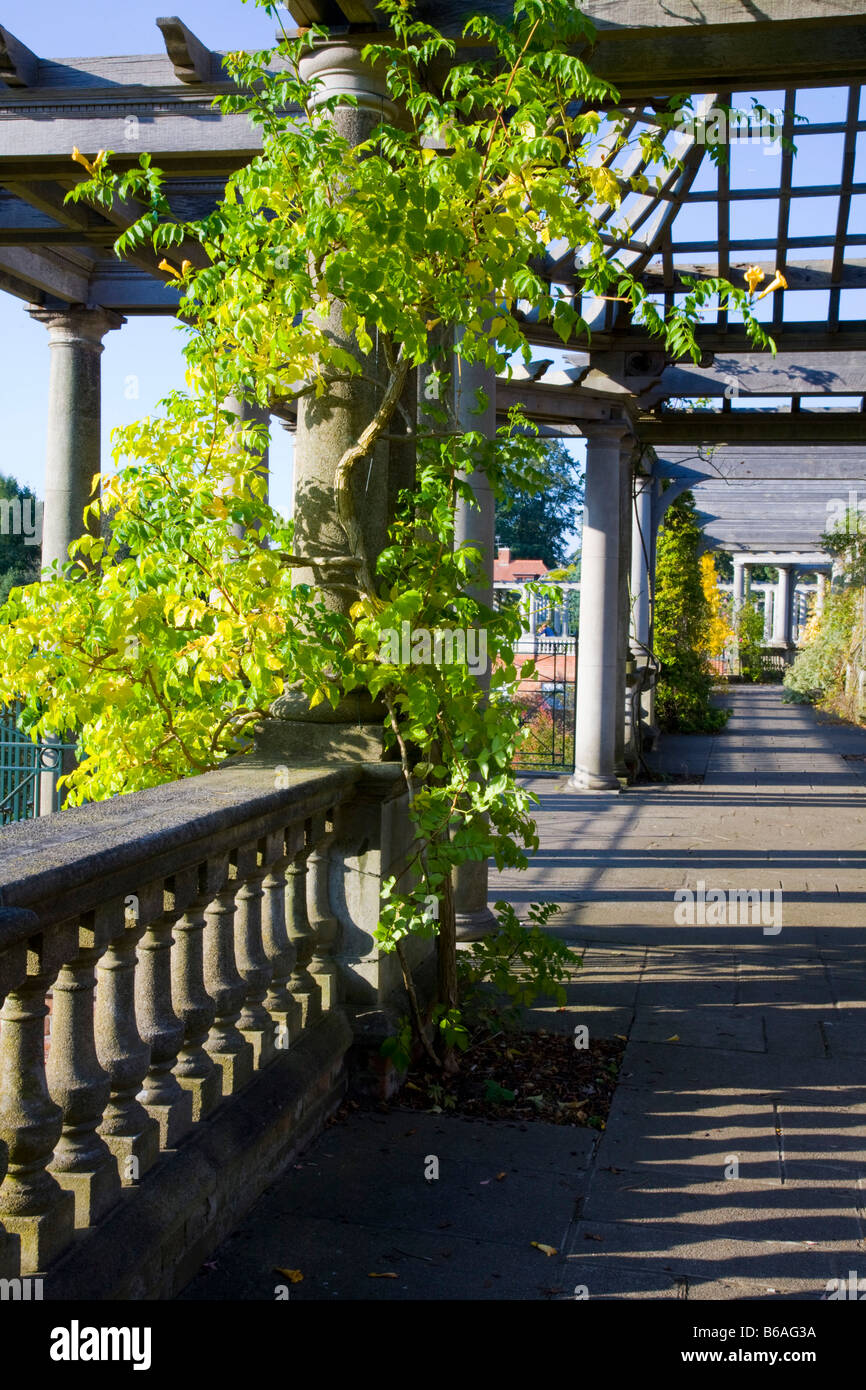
{"x": 598, "y": 698}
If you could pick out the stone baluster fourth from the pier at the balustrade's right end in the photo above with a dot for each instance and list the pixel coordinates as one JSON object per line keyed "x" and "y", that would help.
{"x": 254, "y": 965}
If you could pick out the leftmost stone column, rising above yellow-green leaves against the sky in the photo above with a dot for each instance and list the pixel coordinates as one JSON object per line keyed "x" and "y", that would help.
{"x": 76, "y": 341}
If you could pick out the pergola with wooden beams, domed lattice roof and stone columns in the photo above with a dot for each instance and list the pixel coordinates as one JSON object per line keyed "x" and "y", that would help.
{"x": 768, "y": 444}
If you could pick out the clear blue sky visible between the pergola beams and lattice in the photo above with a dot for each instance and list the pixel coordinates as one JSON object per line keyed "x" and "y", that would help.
{"x": 142, "y": 362}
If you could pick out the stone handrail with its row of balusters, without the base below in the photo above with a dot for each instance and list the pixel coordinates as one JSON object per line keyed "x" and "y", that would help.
{"x": 183, "y": 950}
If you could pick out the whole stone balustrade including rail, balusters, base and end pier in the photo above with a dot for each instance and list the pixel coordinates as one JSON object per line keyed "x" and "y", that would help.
{"x": 190, "y": 942}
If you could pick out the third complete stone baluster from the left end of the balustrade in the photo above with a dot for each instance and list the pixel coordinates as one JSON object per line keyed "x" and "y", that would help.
{"x": 130, "y": 1132}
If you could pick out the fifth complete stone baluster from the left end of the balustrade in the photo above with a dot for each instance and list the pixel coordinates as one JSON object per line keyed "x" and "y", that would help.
{"x": 195, "y": 1070}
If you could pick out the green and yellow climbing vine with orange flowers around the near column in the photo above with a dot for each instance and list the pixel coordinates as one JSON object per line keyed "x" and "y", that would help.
{"x": 163, "y": 643}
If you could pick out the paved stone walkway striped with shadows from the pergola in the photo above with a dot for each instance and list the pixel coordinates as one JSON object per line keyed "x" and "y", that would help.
{"x": 735, "y": 1160}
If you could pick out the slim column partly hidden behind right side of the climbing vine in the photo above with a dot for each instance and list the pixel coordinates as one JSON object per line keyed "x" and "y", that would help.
{"x": 476, "y": 526}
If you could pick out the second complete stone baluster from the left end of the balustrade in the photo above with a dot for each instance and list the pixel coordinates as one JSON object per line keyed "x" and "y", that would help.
{"x": 83, "y": 1161}
